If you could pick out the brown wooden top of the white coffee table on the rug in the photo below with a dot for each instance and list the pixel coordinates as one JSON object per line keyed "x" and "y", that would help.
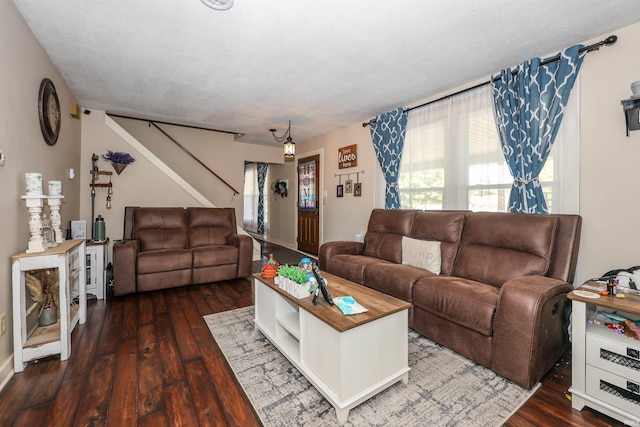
{"x": 377, "y": 303}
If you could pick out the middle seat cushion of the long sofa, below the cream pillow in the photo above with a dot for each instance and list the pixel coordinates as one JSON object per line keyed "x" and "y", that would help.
{"x": 394, "y": 279}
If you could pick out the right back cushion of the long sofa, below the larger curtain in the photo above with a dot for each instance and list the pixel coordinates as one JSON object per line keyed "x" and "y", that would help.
{"x": 496, "y": 247}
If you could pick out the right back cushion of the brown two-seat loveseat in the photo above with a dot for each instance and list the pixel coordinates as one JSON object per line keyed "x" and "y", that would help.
{"x": 210, "y": 226}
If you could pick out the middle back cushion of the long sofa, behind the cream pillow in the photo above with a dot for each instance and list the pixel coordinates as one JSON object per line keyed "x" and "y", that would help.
{"x": 444, "y": 227}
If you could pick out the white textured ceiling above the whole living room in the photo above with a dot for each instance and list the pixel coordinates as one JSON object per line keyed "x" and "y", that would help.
{"x": 323, "y": 65}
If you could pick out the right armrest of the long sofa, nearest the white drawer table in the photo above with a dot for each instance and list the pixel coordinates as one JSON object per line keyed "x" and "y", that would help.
{"x": 529, "y": 332}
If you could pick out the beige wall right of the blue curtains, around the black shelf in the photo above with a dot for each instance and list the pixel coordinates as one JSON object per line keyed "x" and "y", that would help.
{"x": 609, "y": 172}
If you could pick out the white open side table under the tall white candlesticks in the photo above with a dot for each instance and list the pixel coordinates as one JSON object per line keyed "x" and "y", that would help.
{"x": 34, "y": 342}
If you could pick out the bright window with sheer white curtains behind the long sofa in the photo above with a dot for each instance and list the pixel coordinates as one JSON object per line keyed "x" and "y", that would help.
{"x": 452, "y": 158}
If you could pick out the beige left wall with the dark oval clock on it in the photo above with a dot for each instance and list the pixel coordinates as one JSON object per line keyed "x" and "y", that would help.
{"x": 24, "y": 65}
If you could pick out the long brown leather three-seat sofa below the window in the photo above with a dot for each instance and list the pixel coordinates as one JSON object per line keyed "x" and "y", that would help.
{"x": 501, "y": 296}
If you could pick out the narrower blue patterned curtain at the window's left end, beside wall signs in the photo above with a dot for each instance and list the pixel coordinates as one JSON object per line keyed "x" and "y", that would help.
{"x": 387, "y": 134}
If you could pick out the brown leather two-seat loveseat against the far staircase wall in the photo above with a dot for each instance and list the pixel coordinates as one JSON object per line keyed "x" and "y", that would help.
{"x": 170, "y": 247}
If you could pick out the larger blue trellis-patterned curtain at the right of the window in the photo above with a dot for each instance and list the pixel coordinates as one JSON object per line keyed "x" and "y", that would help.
{"x": 529, "y": 106}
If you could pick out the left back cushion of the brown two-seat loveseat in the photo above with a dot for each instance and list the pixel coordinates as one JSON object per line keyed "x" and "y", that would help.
{"x": 160, "y": 228}
